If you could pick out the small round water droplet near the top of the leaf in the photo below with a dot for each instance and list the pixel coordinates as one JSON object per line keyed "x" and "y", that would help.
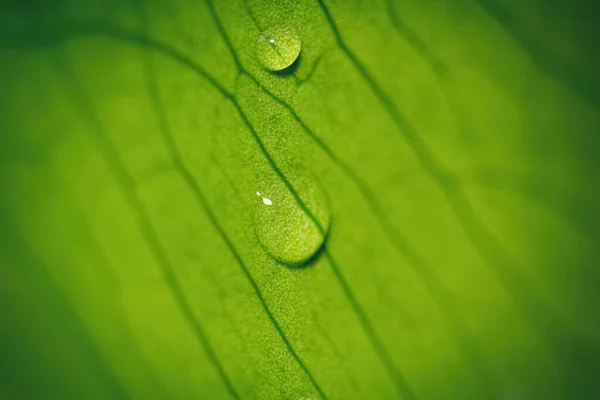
{"x": 278, "y": 48}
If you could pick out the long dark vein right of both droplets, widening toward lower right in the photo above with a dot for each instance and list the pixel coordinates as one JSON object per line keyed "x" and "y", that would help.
{"x": 546, "y": 323}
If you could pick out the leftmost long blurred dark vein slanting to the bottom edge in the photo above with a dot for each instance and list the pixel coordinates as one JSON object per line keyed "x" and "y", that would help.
{"x": 84, "y": 107}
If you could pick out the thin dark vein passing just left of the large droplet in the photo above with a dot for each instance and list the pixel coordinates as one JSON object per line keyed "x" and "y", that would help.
{"x": 191, "y": 182}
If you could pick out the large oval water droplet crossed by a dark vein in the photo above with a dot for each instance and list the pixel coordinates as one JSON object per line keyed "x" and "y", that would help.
{"x": 288, "y": 232}
